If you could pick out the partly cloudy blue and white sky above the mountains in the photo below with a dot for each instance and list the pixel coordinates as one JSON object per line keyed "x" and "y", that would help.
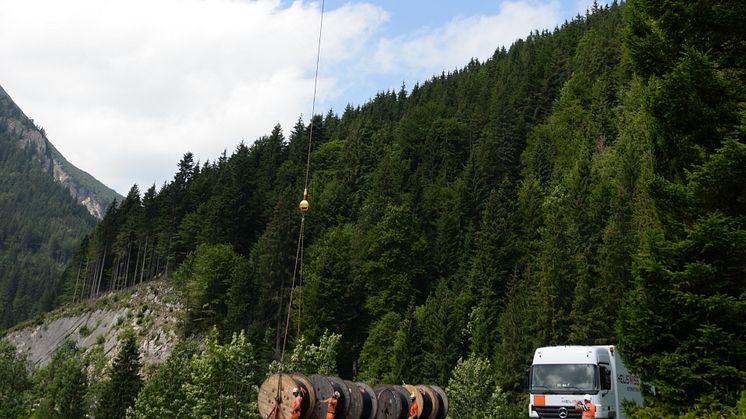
{"x": 124, "y": 88}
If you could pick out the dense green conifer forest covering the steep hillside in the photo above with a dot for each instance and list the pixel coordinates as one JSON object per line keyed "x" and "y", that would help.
{"x": 584, "y": 186}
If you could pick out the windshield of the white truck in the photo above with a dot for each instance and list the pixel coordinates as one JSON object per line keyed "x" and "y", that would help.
{"x": 563, "y": 378}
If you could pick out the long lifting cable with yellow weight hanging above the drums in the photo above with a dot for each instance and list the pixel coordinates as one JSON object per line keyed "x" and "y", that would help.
{"x": 304, "y": 206}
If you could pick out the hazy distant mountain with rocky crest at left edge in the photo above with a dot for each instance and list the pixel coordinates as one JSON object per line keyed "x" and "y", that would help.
{"x": 48, "y": 207}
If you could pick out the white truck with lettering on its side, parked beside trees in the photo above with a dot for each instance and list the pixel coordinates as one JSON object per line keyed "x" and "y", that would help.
{"x": 561, "y": 375}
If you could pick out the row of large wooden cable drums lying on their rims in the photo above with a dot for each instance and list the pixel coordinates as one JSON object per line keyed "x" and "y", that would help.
{"x": 356, "y": 400}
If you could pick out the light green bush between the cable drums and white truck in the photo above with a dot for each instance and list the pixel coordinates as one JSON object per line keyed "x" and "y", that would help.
{"x": 473, "y": 393}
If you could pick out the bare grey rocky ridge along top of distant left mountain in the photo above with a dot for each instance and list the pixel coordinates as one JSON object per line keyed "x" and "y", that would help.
{"x": 88, "y": 191}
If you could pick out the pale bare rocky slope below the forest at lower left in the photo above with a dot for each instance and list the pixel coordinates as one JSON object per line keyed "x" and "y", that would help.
{"x": 148, "y": 309}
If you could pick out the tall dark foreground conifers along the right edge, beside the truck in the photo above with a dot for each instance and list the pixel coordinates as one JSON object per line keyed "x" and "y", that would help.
{"x": 681, "y": 325}
